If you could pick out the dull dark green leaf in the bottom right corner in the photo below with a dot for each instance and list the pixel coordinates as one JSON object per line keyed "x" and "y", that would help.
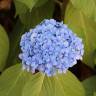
{"x": 90, "y": 85}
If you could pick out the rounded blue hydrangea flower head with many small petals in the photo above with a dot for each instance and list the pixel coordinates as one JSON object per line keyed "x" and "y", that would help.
{"x": 50, "y": 47}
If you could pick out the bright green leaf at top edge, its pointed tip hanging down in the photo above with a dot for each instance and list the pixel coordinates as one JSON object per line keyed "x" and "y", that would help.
{"x": 31, "y": 3}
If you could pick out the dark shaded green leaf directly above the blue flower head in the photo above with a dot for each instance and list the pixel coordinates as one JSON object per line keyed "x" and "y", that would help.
{"x": 38, "y": 14}
